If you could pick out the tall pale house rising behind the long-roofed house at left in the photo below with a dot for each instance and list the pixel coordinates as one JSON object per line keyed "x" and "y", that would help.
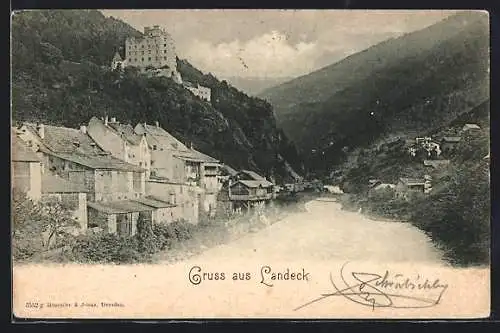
{"x": 121, "y": 141}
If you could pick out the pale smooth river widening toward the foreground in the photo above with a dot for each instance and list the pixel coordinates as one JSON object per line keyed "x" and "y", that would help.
{"x": 326, "y": 232}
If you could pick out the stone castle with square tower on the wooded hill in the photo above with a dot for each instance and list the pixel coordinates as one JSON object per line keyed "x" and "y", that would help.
{"x": 154, "y": 54}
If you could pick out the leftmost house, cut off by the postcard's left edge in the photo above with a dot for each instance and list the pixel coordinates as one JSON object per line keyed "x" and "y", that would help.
{"x": 26, "y": 169}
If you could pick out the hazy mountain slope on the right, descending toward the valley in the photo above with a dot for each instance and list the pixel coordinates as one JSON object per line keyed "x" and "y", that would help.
{"x": 403, "y": 86}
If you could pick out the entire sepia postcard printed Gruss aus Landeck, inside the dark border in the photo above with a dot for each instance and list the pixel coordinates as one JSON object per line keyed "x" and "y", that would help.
{"x": 250, "y": 164}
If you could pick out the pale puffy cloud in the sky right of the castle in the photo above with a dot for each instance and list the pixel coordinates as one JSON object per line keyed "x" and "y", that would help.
{"x": 267, "y": 55}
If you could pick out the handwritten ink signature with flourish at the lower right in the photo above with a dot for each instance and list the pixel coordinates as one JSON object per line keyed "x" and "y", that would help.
{"x": 385, "y": 291}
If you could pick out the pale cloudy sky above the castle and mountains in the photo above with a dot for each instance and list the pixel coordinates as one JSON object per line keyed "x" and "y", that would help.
{"x": 275, "y": 43}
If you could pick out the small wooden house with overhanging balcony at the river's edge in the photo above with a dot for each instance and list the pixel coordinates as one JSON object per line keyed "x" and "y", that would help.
{"x": 250, "y": 190}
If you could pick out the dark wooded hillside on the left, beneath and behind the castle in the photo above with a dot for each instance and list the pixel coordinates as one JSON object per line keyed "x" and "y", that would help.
{"x": 61, "y": 75}
